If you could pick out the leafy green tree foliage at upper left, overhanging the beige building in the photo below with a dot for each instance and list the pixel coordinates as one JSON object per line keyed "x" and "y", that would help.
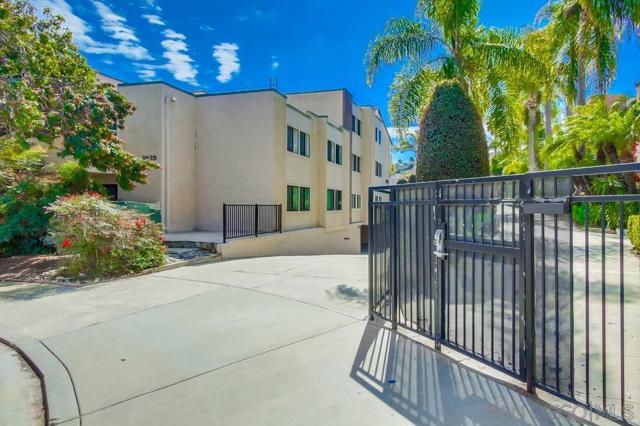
{"x": 49, "y": 95}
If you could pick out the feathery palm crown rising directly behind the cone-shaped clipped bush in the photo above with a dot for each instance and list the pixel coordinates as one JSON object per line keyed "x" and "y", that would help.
{"x": 446, "y": 42}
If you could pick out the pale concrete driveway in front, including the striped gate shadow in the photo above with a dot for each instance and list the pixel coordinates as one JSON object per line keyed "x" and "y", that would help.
{"x": 270, "y": 341}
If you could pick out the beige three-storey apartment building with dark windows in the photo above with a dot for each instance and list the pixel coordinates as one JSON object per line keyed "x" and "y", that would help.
{"x": 314, "y": 153}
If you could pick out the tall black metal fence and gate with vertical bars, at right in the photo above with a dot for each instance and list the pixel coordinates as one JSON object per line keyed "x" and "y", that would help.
{"x": 530, "y": 273}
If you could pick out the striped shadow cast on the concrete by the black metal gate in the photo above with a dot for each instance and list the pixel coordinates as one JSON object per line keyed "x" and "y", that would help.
{"x": 428, "y": 388}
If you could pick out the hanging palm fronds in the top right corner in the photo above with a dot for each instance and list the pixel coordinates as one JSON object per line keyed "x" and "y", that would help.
{"x": 584, "y": 38}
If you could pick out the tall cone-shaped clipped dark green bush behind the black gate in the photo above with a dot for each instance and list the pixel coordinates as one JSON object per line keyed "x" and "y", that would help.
{"x": 451, "y": 140}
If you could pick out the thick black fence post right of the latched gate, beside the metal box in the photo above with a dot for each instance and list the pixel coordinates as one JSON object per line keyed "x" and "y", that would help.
{"x": 528, "y": 297}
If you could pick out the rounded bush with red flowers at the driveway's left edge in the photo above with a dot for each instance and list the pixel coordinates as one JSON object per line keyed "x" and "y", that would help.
{"x": 104, "y": 240}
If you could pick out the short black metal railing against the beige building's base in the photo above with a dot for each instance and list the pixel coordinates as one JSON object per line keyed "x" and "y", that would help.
{"x": 250, "y": 220}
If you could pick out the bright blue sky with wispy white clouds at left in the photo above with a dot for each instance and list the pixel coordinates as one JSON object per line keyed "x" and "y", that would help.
{"x": 226, "y": 45}
